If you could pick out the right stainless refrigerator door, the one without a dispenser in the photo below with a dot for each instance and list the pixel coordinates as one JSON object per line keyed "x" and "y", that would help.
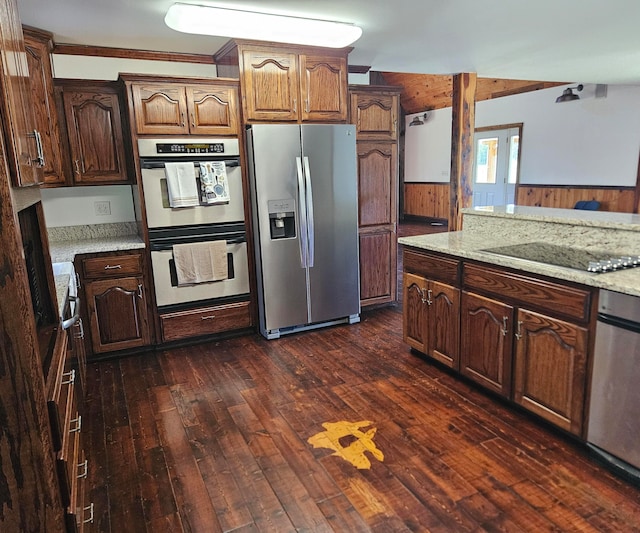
{"x": 334, "y": 286}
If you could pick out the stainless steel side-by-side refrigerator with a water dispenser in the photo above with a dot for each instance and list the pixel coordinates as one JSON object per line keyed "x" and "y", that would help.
{"x": 304, "y": 196}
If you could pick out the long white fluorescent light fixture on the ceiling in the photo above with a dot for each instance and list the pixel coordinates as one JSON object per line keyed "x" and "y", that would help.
{"x": 209, "y": 20}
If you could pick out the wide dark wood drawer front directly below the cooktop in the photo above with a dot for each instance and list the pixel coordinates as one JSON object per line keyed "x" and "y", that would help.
{"x": 553, "y": 297}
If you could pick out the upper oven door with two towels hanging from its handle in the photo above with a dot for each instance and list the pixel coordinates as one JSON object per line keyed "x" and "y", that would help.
{"x": 160, "y": 214}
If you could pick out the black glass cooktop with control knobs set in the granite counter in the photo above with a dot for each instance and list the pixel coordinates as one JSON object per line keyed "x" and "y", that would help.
{"x": 597, "y": 261}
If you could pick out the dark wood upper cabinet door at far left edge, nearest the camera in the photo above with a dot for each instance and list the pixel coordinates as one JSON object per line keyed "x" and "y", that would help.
{"x": 18, "y": 122}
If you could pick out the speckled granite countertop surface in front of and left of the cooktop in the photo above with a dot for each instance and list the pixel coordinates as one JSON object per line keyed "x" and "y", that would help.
{"x": 466, "y": 246}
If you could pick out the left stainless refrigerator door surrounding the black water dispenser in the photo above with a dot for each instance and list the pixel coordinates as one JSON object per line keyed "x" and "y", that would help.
{"x": 282, "y": 278}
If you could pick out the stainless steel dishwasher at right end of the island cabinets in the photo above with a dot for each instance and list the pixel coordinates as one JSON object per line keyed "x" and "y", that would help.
{"x": 614, "y": 412}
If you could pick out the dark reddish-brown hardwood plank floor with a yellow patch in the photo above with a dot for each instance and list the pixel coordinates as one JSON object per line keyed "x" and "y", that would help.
{"x": 215, "y": 437}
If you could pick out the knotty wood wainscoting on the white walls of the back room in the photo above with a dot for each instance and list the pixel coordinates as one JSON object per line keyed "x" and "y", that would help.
{"x": 431, "y": 200}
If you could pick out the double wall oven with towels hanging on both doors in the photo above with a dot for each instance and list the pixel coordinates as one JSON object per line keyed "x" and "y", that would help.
{"x": 204, "y": 220}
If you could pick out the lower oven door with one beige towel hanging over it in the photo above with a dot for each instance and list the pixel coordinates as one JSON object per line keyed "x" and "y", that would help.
{"x": 169, "y": 293}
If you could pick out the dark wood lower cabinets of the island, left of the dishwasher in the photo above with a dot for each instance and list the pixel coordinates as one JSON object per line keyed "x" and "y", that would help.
{"x": 522, "y": 337}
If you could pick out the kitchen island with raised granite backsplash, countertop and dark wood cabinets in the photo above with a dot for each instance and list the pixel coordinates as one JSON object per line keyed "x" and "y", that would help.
{"x": 521, "y": 328}
